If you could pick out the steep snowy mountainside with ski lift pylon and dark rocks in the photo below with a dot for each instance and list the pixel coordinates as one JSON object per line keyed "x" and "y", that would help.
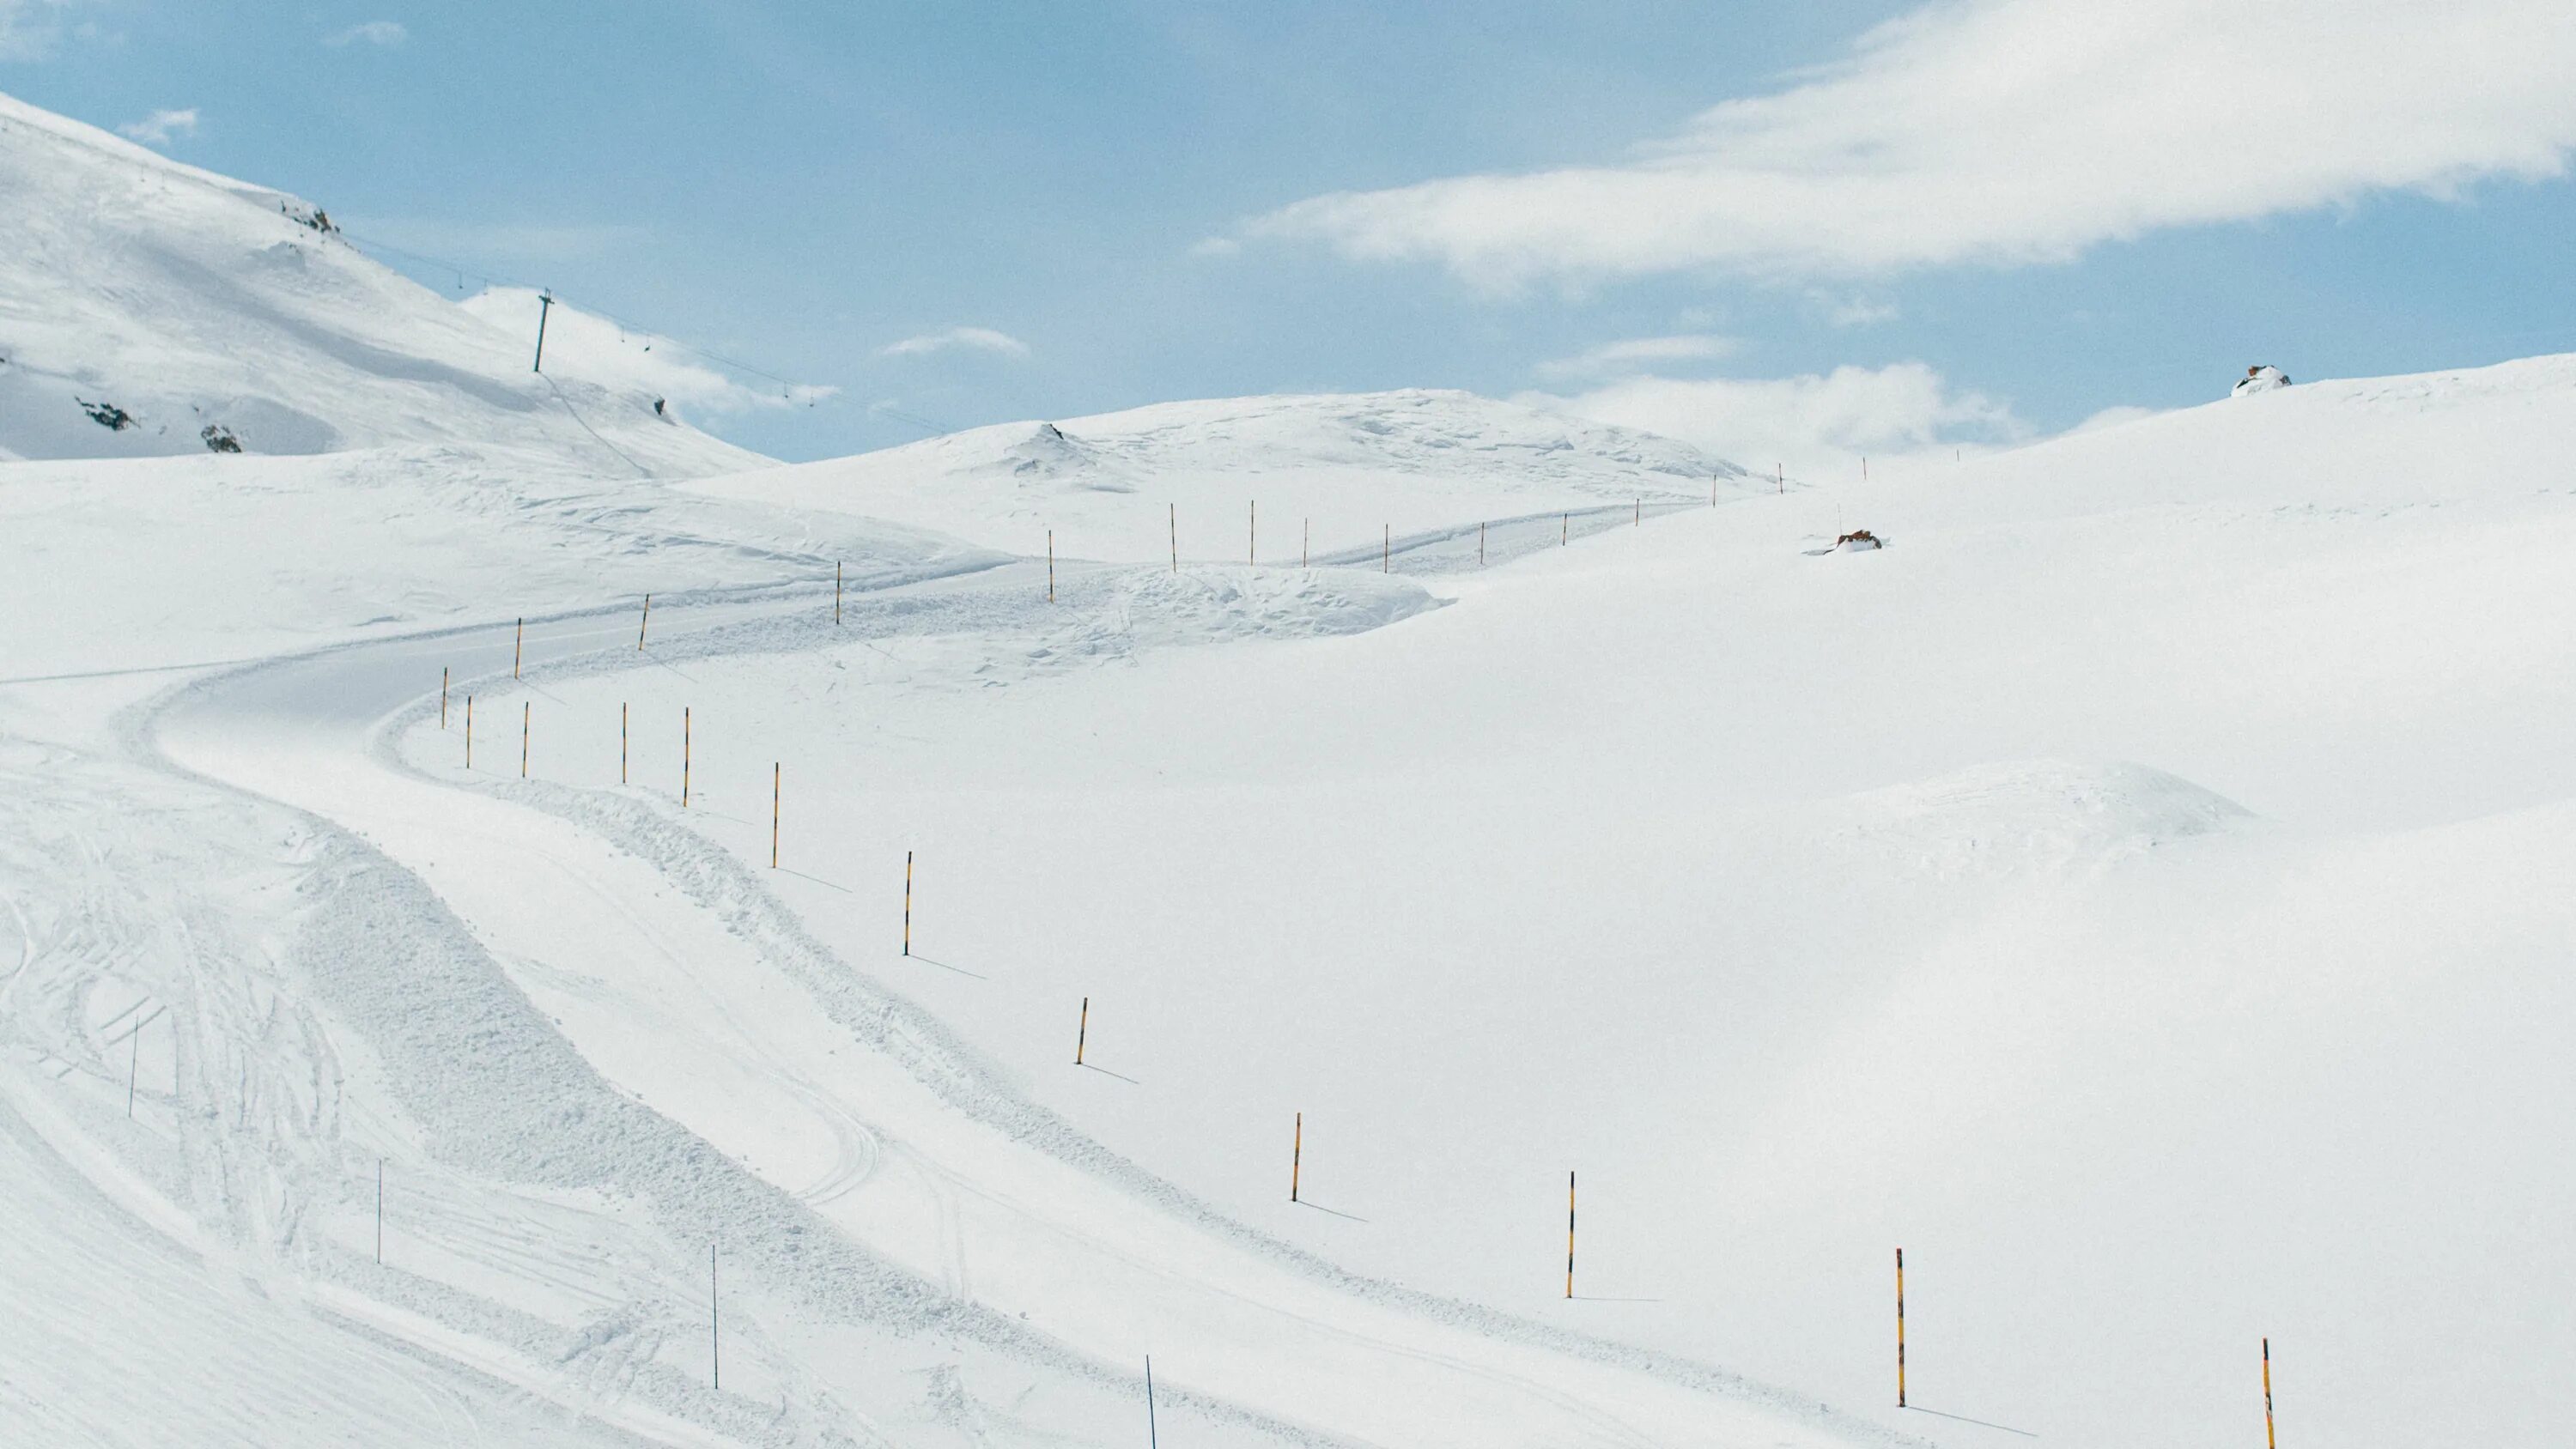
{"x": 151, "y": 308}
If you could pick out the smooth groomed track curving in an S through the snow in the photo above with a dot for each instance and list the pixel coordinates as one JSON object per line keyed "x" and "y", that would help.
{"x": 679, "y": 992}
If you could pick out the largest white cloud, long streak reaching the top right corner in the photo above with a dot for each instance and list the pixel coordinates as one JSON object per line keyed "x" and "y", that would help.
{"x": 2018, "y": 133}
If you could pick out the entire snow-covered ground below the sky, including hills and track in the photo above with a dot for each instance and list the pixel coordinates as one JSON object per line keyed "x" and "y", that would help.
{"x": 2137, "y": 894}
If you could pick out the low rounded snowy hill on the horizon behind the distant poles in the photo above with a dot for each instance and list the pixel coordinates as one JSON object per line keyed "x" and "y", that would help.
{"x": 1258, "y": 477}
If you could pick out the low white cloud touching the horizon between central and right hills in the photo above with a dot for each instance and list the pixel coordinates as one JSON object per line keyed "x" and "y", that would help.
{"x": 1815, "y": 426}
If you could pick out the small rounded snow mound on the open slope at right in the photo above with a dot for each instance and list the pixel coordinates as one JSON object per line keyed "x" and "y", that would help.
{"x": 2029, "y": 817}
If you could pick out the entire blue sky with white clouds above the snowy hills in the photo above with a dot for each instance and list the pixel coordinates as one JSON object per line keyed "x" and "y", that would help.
{"x": 1985, "y": 223}
